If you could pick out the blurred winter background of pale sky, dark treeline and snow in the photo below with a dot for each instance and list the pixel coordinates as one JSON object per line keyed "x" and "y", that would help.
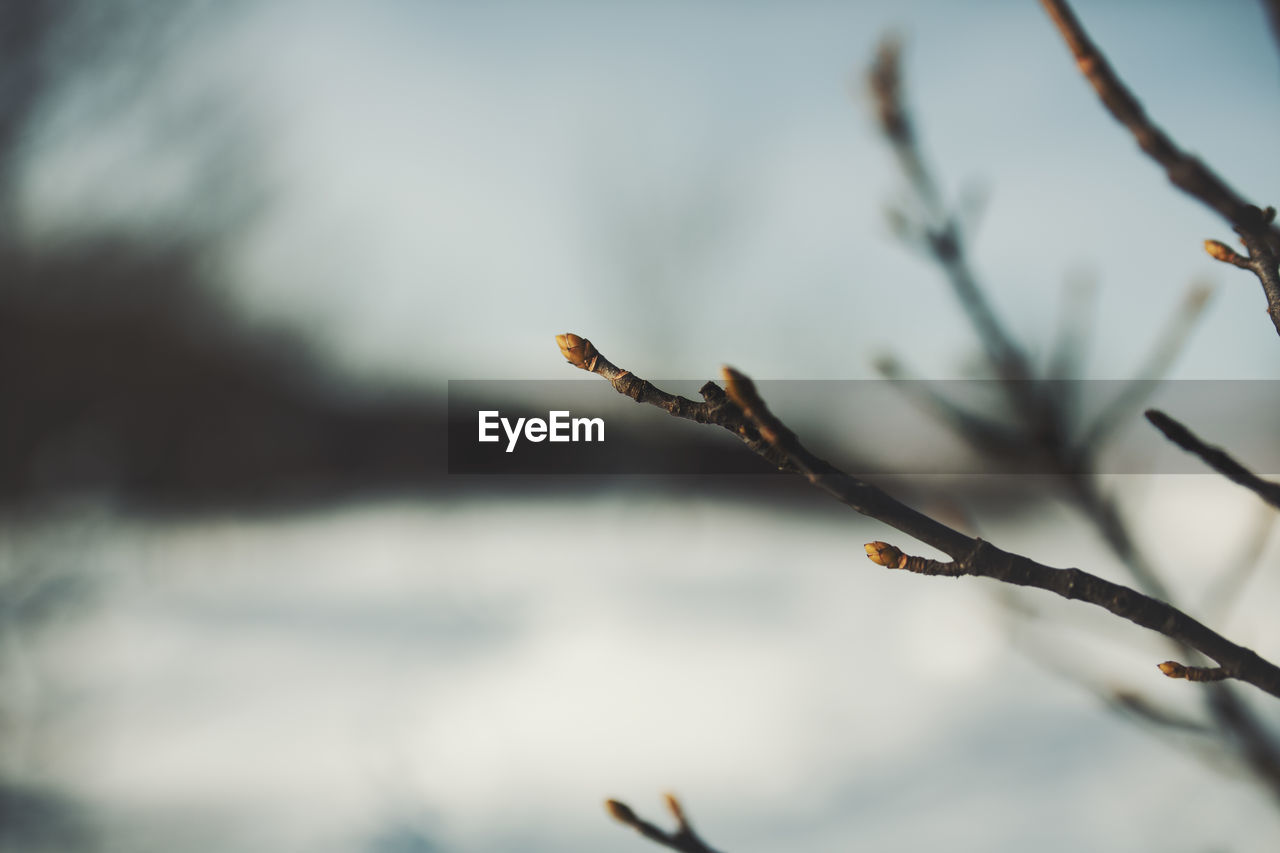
{"x": 400, "y": 194}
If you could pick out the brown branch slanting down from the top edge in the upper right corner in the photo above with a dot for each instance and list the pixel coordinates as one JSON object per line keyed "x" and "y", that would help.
{"x": 1190, "y": 175}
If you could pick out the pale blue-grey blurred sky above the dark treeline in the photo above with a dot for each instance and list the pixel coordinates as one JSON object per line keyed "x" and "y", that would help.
{"x": 691, "y": 184}
